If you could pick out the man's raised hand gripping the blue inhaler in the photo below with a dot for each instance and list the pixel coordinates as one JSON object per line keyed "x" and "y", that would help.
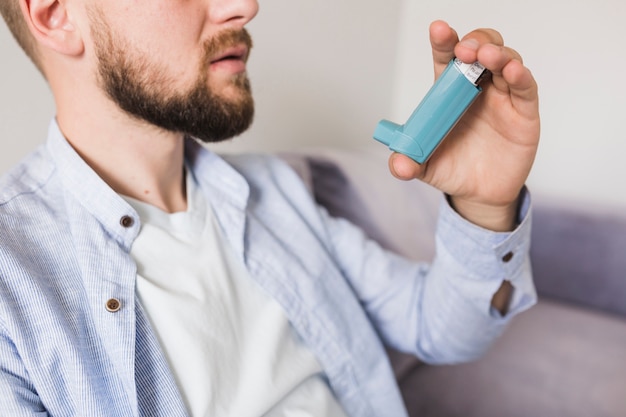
{"x": 484, "y": 162}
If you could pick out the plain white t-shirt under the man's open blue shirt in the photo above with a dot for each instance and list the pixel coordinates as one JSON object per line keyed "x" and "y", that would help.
{"x": 230, "y": 346}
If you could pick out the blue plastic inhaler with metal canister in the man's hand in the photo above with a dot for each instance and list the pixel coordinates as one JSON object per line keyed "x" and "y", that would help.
{"x": 451, "y": 95}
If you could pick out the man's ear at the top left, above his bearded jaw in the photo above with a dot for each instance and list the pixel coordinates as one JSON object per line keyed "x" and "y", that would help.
{"x": 52, "y": 26}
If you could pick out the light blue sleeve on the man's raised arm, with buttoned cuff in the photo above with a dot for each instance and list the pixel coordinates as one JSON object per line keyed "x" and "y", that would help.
{"x": 441, "y": 312}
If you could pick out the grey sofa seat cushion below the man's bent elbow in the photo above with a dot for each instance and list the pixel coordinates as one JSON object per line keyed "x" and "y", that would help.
{"x": 555, "y": 360}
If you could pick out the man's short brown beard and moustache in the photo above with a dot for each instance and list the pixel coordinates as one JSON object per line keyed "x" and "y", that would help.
{"x": 142, "y": 88}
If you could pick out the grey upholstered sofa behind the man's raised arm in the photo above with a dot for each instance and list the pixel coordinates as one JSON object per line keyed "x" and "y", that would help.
{"x": 564, "y": 357}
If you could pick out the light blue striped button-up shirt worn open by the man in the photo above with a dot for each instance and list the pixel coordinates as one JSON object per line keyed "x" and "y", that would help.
{"x": 75, "y": 339}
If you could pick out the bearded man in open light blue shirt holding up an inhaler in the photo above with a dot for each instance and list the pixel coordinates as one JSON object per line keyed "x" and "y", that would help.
{"x": 142, "y": 275}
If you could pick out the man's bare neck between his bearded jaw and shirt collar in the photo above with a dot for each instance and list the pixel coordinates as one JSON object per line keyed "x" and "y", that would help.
{"x": 134, "y": 158}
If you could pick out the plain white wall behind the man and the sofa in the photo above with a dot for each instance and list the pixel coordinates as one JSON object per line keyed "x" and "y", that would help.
{"x": 325, "y": 72}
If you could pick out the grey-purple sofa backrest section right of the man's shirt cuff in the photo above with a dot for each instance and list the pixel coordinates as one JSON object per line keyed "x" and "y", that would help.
{"x": 579, "y": 254}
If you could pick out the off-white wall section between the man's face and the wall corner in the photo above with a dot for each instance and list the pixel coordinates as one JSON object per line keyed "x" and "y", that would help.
{"x": 322, "y": 72}
